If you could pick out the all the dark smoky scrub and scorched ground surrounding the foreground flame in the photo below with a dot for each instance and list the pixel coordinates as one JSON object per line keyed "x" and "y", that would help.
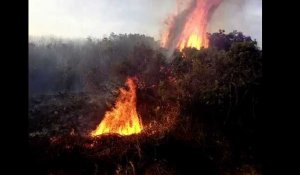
{"x": 213, "y": 95}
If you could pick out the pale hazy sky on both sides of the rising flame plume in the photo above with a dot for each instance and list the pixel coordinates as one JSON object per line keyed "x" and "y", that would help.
{"x": 82, "y": 18}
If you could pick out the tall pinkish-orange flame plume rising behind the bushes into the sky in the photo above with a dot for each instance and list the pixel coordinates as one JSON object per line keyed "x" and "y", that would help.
{"x": 188, "y": 27}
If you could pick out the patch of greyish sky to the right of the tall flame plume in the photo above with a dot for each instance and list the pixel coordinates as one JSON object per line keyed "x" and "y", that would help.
{"x": 241, "y": 15}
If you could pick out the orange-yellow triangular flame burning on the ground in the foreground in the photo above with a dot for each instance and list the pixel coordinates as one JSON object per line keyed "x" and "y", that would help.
{"x": 123, "y": 118}
